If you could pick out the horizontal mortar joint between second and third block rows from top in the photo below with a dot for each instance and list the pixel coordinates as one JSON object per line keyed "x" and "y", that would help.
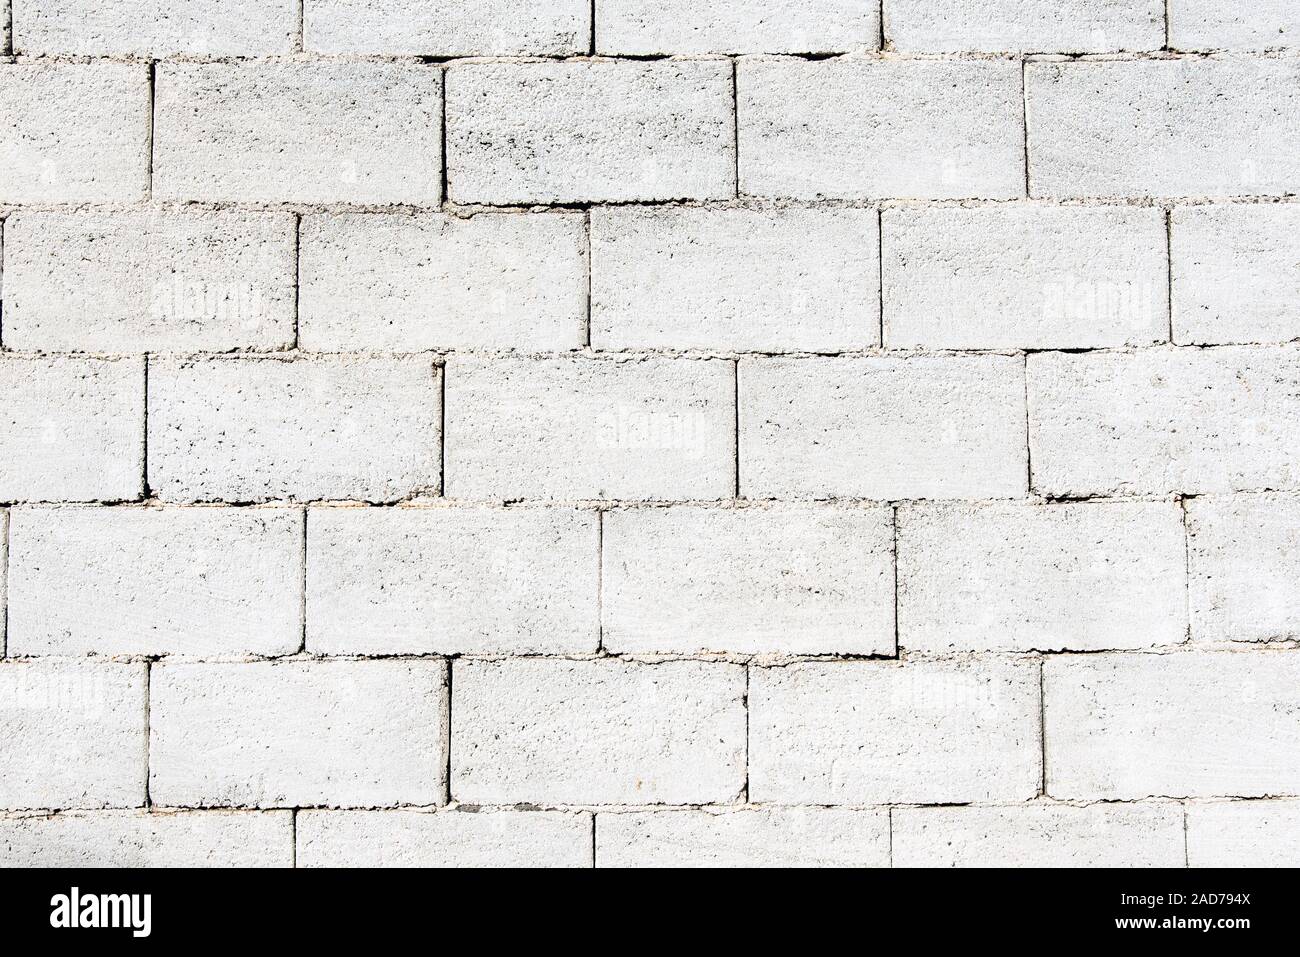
{"x": 756, "y": 203}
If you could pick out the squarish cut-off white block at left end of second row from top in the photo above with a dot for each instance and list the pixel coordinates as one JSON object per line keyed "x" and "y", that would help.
{"x": 75, "y": 133}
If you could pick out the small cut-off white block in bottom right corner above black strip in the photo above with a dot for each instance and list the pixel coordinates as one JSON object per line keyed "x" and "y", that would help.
{"x": 1243, "y": 834}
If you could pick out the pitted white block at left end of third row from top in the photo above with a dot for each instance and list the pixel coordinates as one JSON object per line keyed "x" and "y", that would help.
{"x": 149, "y": 282}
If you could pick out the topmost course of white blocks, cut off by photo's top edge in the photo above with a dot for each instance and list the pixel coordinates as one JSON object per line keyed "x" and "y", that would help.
{"x": 642, "y": 28}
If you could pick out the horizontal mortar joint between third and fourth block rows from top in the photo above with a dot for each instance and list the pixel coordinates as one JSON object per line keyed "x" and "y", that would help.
{"x": 634, "y": 356}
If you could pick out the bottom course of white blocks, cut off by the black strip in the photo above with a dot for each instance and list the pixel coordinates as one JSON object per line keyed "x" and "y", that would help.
{"x": 1045, "y": 835}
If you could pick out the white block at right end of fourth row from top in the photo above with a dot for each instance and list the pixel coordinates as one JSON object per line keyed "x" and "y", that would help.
{"x": 1169, "y": 421}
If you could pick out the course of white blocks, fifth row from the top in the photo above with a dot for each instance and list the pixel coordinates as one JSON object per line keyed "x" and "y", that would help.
{"x": 214, "y": 582}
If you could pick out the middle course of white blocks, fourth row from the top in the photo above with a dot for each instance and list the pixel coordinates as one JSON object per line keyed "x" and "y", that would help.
{"x": 651, "y": 428}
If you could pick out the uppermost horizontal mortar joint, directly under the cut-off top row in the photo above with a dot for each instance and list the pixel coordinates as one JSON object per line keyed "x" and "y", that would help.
{"x": 864, "y": 54}
